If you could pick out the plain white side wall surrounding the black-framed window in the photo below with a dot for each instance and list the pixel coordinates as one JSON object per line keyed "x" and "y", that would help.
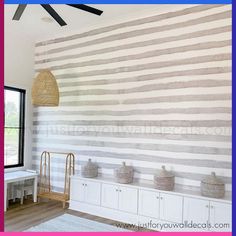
{"x": 19, "y": 71}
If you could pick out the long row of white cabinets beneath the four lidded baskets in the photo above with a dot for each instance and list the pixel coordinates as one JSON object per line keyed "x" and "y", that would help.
{"x": 135, "y": 204}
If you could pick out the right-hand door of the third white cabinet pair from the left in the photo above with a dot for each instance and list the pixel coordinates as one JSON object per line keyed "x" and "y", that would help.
{"x": 171, "y": 208}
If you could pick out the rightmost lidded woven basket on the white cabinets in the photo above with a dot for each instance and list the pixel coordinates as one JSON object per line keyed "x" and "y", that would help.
{"x": 213, "y": 187}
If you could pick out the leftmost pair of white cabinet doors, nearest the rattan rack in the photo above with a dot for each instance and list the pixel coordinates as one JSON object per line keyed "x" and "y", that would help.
{"x": 86, "y": 191}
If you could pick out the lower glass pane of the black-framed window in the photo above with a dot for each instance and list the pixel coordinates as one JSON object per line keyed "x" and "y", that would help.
{"x": 11, "y": 146}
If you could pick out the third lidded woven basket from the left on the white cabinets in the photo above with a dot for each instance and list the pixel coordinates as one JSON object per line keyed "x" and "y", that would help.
{"x": 164, "y": 180}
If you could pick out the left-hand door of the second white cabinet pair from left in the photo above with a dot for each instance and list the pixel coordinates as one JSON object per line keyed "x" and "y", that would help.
{"x": 110, "y": 196}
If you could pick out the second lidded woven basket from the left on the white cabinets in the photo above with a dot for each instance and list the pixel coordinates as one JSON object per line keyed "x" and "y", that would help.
{"x": 124, "y": 174}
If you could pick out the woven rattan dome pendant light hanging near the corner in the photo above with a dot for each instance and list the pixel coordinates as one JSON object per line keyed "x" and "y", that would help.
{"x": 45, "y": 90}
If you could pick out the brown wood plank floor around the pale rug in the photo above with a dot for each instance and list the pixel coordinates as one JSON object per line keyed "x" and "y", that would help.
{"x": 21, "y": 217}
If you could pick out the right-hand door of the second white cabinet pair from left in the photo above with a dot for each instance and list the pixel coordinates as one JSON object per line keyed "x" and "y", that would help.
{"x": 128, "y": 199}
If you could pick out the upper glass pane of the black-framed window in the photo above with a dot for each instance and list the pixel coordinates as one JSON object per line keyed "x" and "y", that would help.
{"x": 12, "y": 108}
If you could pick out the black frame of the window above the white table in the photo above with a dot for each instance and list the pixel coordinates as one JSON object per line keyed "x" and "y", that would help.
{"x": 21, "y": 126}
